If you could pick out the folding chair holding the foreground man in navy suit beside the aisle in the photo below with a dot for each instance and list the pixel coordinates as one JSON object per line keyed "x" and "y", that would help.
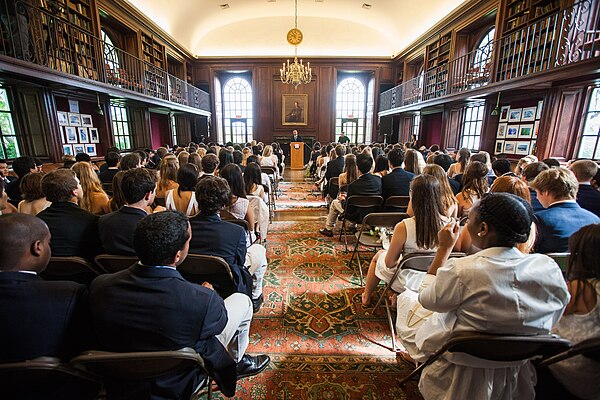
{"x": 147, "y": 365}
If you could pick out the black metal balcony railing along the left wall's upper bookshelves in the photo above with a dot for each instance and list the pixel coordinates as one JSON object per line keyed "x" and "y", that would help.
{"x": 34, "y": 35}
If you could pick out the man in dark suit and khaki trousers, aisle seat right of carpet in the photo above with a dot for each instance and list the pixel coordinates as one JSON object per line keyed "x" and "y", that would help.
{"x": 367, "y": 184}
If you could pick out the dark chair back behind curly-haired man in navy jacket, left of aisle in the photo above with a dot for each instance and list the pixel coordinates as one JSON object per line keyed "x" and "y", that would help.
{"x": 199, "y": 268}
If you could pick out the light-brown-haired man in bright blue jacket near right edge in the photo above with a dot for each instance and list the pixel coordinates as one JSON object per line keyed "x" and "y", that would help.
{"x": 556, "y": 189}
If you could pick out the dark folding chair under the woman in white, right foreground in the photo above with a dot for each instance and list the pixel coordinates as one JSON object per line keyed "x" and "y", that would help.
{"x": 499, "y": 348}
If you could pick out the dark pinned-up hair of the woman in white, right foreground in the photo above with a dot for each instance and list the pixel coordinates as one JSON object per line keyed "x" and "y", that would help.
{"x": 508, "y": 215}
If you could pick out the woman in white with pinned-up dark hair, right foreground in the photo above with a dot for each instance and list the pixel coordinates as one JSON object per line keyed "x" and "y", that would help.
{"x": 498, "y": 290}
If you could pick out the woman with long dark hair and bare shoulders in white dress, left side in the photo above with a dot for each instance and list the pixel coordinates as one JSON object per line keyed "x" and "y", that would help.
{"x": 183, "y": 199}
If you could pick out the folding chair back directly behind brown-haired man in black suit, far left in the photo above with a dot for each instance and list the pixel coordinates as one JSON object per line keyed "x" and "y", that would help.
{"x": 75, "y": 269}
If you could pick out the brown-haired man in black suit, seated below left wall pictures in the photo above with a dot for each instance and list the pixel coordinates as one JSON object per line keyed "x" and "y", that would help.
{"x": 74, "y": 230}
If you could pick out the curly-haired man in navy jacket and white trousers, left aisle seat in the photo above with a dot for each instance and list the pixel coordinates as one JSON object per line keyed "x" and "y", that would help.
{"x": 211, "y": 236}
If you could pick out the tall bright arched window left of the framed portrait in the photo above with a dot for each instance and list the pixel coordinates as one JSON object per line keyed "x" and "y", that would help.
{"x": 237, "y": 110}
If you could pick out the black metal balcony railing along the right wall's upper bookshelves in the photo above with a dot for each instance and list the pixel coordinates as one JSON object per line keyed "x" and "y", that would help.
{"x": 562, "y": 38}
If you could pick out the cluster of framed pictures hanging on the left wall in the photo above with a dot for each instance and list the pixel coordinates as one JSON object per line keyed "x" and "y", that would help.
{"x": 78, "y": 133}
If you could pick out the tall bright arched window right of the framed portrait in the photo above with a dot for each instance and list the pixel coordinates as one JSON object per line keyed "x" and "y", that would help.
{"x": 350, "y": 109}
